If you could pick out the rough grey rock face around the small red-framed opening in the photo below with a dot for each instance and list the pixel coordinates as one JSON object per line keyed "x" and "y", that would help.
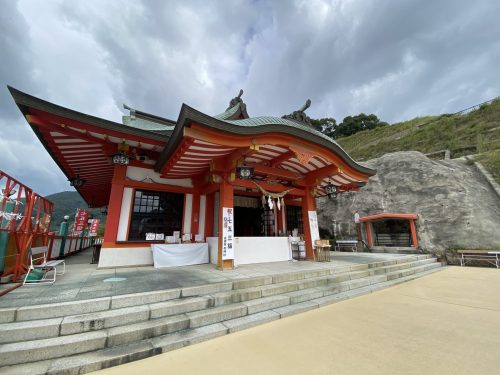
{"x": 456, "y": 206}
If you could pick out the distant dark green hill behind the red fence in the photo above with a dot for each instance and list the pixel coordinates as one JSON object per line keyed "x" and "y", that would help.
{"x": 66, "y": 203}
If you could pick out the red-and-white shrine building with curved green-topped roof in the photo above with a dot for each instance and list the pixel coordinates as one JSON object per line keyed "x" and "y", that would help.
{"x": 240, "y": 185}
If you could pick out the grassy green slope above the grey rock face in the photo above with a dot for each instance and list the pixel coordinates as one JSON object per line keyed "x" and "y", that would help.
{"x": 476, "y": 132}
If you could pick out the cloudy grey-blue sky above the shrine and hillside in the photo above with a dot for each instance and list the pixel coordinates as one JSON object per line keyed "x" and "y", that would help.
{"x": 397, "y": 59}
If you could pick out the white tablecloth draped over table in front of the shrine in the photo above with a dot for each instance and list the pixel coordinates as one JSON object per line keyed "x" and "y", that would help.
{"x": 179, "y": 254}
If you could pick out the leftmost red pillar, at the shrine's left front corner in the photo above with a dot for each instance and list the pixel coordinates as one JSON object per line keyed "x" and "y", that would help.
{"x": 114, "y": 206}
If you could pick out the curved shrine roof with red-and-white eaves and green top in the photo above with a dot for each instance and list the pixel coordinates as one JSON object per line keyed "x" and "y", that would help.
{"x": 82, "y": 145}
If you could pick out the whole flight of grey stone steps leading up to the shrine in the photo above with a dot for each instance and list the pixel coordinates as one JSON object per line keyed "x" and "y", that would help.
{"x": 84, "y": 336}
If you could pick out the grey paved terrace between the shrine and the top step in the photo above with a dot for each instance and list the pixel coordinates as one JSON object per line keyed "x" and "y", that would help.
{"x": 83, "y": 280}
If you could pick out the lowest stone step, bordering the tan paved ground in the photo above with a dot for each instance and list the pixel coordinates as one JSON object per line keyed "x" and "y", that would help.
{"x": 107, "y": 357}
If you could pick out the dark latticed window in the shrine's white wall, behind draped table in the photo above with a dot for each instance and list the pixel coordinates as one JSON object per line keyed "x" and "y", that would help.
{"x": 155, "y": 212}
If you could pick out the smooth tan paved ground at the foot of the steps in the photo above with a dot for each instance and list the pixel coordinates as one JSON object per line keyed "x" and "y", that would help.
{"x": 444, "y": 323}
